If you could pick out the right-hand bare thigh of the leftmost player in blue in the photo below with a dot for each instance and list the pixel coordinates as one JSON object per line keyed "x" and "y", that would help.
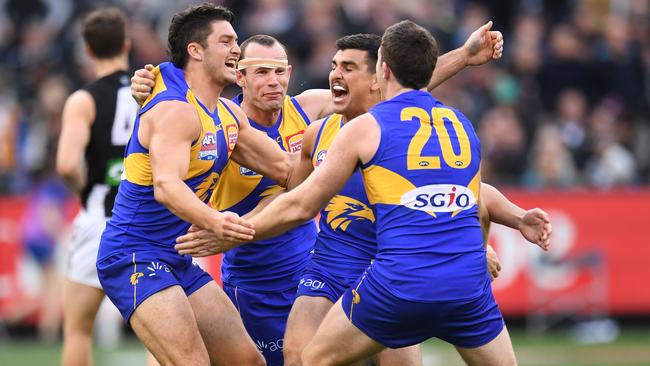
{"x": 222, "y": 329}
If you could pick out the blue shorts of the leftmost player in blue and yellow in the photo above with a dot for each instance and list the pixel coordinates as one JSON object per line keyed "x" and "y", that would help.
{"x": 129, "y": 278}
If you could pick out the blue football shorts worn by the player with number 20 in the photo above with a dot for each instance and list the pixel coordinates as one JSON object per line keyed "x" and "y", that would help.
{"x": 395, "y": 323}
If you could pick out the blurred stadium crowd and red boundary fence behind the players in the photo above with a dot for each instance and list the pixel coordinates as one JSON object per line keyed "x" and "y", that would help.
{"x": 563, "y": 117}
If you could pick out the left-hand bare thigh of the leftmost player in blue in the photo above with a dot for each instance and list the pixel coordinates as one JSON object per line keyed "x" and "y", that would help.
{"x": 166, "y": 325}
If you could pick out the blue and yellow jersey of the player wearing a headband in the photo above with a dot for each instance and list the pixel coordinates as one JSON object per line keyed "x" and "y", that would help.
{"x": 276, "y": 263}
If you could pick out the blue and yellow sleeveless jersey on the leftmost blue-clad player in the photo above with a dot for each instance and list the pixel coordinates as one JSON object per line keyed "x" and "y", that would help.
{"x": 139, "y": 222}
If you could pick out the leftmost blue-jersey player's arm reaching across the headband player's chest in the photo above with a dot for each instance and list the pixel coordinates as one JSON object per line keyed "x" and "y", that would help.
{"x": 257, "y": 152}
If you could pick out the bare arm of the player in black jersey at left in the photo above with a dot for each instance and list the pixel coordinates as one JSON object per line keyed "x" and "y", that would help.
{"x": 78, "y": 116}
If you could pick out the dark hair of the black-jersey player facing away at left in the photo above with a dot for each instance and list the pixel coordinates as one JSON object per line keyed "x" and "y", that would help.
{"x": 104, "y": 31}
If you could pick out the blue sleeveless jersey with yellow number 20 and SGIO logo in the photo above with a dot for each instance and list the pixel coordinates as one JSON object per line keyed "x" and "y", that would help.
{"x": 424, "y": 183}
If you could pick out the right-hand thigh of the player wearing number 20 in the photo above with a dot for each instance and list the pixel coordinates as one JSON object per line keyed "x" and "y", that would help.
{"x": 497, "y": 352}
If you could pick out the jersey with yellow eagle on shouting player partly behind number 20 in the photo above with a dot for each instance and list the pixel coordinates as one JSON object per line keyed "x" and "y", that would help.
{"x": 346, "y": 242}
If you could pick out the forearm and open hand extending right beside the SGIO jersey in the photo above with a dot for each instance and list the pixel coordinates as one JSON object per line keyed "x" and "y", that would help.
{"x": 533, "y": 224}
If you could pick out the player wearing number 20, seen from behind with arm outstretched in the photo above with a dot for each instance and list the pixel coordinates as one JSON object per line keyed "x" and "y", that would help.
{"x": 429, "y": 276}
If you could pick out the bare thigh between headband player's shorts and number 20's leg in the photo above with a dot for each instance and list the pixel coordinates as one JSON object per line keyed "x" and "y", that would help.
{"x": 306, "y": 315}
